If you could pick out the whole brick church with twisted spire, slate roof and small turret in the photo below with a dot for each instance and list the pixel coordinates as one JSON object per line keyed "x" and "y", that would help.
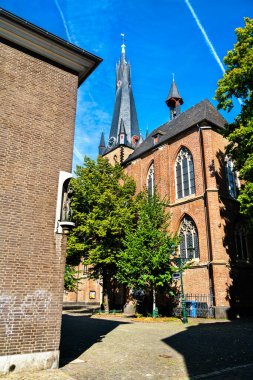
{"x": 184, "y": 159}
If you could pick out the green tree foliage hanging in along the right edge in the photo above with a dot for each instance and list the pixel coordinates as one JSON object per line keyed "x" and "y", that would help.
{"x": 237, "y": 82}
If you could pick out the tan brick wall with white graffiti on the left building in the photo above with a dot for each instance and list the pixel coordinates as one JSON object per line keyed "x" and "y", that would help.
{"x": 36, "y": 138}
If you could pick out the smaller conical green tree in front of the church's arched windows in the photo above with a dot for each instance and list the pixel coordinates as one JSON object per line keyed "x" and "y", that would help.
{"x": 145, "y": 260}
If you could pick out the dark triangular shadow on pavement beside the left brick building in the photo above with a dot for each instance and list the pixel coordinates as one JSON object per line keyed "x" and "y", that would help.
{"x": 78, "y": 333}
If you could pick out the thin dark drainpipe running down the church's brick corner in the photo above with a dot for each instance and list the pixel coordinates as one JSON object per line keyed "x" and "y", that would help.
{"x": 207, "y": 217}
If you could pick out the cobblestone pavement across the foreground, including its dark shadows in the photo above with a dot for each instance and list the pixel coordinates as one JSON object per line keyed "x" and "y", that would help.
{"x": 123, "y": 349}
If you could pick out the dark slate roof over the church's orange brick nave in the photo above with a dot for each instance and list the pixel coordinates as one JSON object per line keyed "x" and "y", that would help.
{"x": 203, "y": 111}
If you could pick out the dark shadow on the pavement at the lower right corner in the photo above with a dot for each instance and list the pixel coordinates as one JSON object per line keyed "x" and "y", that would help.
{"x": 211, "y": 347}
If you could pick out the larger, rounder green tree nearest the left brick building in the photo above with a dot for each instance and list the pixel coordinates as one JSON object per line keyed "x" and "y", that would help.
{"x": 102, "y": 207}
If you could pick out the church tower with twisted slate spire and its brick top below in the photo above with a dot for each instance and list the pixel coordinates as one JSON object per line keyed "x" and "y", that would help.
{"x": 124, "y": 133}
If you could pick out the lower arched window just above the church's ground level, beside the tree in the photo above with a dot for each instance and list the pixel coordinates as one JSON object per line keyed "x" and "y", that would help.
{"x": 189, "y": 245}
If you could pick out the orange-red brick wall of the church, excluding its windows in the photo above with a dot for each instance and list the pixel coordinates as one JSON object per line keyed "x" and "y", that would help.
{"x": 197, "y": 278}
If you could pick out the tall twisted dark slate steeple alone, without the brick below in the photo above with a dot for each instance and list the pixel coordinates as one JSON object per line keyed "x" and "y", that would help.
{"x": 124, "y": 114}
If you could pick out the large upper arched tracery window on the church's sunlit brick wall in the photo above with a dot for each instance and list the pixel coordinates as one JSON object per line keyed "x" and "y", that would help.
{"x": 185, "y": 183}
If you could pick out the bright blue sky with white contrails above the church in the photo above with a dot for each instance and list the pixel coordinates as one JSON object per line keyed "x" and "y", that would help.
{"x": 162, "y": 37}
